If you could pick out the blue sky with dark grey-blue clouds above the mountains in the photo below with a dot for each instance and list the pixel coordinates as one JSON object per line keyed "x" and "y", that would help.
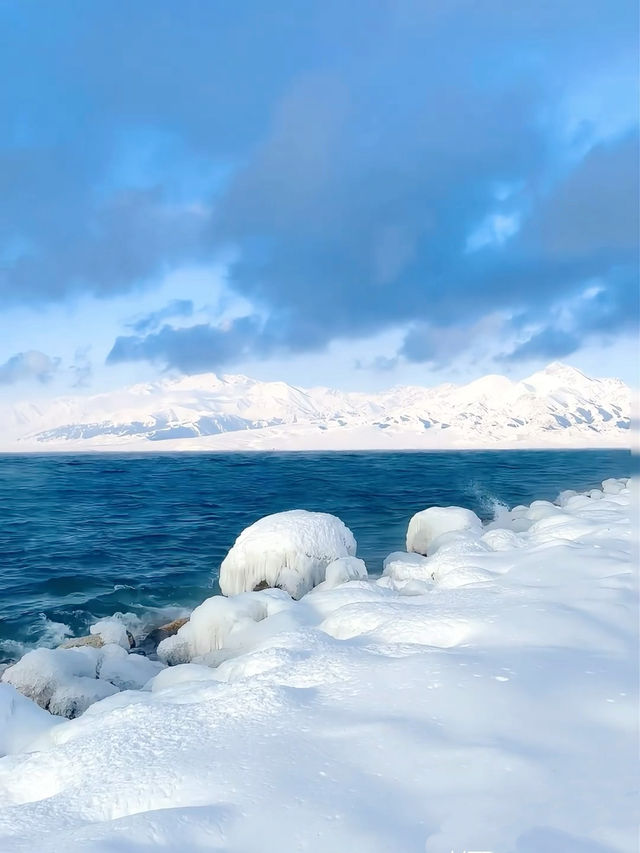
{"x": 355, "y": 194}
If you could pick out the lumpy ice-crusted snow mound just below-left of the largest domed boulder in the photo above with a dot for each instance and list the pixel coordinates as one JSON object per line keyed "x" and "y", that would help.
{"x": 220, "y": 623}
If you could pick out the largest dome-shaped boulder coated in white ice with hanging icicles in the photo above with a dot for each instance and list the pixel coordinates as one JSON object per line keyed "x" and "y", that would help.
{"x": 289, "y": 550}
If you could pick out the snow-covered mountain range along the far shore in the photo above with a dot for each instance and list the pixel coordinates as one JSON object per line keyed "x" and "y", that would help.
{"x": 558, "y": 406}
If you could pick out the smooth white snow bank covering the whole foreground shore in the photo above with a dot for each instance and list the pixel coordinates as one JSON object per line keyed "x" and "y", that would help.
{"x": 483, "y": 698}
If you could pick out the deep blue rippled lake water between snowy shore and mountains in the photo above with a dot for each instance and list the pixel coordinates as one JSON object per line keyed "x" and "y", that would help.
{"x": 82, "y": 537}
